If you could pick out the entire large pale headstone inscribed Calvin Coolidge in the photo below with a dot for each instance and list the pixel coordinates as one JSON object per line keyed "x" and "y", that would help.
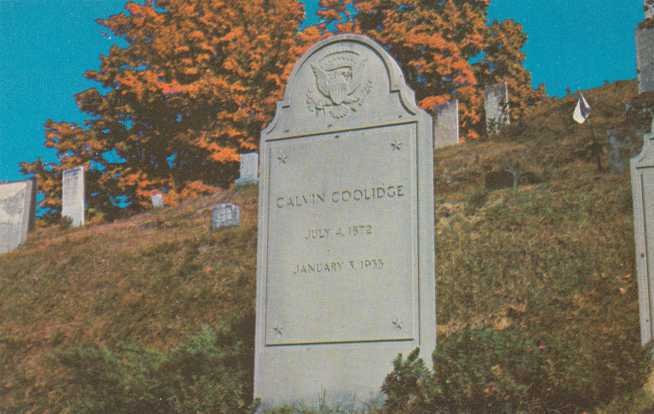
{"x": 345, "y": 265}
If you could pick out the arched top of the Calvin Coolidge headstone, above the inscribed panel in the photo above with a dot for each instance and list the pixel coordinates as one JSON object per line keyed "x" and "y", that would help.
{"x": 342, "y": 82}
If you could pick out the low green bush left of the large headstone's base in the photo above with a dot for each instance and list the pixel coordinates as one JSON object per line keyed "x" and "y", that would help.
{"x": 209, "y": 373}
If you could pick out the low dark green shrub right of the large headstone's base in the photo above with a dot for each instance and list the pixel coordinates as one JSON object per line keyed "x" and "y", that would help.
{"x": 489, "y": 371}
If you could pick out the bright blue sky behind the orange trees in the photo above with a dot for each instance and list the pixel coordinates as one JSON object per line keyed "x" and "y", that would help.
{"x": 46, "y": 45}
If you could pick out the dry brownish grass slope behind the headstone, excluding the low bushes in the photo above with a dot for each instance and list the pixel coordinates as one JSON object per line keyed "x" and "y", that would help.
{"x": 156, "y": 277}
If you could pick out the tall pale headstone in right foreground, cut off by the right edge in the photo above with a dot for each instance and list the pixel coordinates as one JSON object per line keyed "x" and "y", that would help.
{"x": 642, "y": 187}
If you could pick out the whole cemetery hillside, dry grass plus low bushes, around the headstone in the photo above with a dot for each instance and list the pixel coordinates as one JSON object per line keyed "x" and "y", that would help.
{"x": 537, "y": 302}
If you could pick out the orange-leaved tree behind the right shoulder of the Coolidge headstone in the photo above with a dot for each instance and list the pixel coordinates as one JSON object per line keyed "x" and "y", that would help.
{"x": 444, "y": 47}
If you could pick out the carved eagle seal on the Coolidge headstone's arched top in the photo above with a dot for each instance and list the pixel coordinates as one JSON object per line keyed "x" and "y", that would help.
{"x": 341, "y": 84}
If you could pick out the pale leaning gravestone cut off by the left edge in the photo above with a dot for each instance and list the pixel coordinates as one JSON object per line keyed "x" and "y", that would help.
{"x": 17, "y": 205}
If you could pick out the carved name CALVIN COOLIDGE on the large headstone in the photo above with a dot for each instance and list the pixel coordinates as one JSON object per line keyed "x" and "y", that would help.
{"x": 387, "y": 192}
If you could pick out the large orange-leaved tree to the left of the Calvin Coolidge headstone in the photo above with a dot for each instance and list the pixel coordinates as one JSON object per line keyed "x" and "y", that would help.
{"x": 194, "y": 86}
